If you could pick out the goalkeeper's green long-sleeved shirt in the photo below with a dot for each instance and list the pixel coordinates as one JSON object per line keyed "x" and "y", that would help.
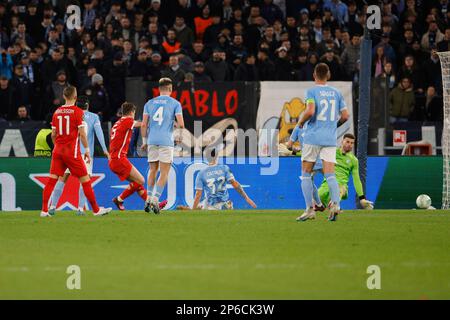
{"x": 347, "y": 164}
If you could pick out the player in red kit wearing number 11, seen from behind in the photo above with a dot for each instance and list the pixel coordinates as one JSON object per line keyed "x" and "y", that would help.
{"x": 67, "y": 130}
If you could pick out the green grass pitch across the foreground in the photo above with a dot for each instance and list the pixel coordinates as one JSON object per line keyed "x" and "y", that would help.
{"x": 239, "y": 255}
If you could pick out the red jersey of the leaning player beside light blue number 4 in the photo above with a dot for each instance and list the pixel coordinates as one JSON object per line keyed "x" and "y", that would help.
{"x": 120, "y": 137}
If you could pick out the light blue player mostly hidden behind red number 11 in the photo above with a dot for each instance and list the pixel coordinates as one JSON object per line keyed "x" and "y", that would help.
{"x": 92, "y": 125}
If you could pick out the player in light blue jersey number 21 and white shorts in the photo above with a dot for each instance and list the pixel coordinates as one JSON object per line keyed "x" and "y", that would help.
{"x": 325, "y": 108}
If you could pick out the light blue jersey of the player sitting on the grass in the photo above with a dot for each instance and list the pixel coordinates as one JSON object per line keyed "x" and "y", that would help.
{"x": 213, "y": 180}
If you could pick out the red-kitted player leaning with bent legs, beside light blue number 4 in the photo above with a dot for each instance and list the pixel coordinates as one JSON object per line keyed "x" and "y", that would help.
{"x": 119, "y": 142}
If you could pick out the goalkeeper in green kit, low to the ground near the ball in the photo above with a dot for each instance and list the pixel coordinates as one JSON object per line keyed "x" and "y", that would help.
{"x": 346, "y": 164}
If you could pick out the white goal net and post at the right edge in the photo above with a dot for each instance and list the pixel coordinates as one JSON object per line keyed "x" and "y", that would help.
{"x": 445, "y": 66}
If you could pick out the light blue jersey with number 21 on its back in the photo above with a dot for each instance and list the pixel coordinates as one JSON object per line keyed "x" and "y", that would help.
{"x": 321, "y": 128}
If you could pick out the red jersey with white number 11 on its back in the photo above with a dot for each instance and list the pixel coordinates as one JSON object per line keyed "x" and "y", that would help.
{"x": 66, "y": 121}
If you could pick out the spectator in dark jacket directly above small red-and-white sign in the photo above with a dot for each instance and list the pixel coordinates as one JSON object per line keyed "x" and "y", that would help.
{"x": 401, "y": 101}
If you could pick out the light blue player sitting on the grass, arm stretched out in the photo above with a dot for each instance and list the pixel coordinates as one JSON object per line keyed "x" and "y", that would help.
{"x": 213, "y": 180}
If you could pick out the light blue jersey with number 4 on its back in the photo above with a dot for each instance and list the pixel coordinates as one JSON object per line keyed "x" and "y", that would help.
{"x": 161, "y": 113}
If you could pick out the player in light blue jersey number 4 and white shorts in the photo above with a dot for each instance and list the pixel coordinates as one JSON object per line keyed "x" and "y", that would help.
{"x": 159, "y": 118}
